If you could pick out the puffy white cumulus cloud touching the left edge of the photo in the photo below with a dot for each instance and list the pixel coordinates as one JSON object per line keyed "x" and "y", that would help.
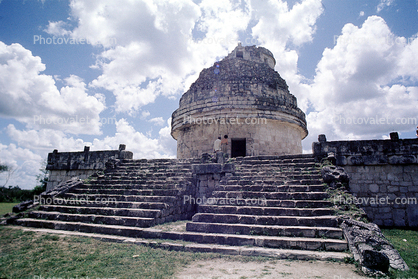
{"x": 34, "y": 99}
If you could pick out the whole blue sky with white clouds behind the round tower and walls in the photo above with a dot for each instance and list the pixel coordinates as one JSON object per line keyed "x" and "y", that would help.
{"x": 105, "y": 72}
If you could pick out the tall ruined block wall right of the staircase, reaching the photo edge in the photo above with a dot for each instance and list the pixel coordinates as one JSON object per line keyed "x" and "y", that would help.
{"x": 383, "y": 177}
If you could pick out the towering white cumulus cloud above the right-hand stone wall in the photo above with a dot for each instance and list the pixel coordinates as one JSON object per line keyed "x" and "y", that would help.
{"x": 360, "y": 89}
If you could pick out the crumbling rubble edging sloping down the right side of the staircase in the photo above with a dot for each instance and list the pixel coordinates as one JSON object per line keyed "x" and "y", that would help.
{"x": 370, "y": 249}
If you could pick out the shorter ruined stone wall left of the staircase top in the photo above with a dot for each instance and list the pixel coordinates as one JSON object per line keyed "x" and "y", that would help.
{"x": 63, "y": 166}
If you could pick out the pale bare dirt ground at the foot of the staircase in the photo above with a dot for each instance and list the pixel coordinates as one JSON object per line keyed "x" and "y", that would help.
{"x": 221, "y": 269}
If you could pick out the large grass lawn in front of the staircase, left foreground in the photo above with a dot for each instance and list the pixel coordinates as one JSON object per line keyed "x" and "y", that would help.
{"x": 26, "y": 254}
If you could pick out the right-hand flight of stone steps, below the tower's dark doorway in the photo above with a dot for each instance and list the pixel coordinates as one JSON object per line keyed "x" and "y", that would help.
{"x": 276, "y": 202}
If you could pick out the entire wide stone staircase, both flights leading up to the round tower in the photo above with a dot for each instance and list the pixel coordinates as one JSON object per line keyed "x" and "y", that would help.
{"x": 273, "y": 202}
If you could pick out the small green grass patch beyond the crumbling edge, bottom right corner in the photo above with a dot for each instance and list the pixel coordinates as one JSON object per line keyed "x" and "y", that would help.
{"x": 408, "y": 250}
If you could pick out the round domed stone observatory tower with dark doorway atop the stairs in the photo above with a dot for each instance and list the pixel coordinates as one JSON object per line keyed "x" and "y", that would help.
{"x": 241, "y": 96}
